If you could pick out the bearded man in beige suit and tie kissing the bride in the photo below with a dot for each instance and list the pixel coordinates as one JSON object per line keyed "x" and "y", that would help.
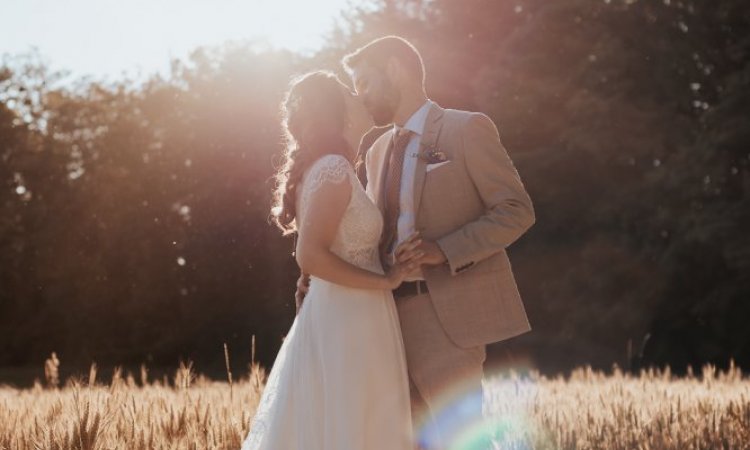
{"x": 445, "y": 174}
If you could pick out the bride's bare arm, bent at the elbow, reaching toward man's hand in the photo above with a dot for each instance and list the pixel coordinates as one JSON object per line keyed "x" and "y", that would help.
{"x": 317, "y": 231}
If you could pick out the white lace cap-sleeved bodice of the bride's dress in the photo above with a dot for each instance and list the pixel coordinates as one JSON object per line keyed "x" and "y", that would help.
{"x": 359, "y": 231}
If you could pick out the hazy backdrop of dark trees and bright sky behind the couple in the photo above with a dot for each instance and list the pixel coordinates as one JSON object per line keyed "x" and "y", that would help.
{"x": 133, "y": 221}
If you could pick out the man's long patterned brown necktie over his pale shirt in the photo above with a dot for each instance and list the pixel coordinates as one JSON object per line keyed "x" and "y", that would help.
{"x": 397, "y": 150}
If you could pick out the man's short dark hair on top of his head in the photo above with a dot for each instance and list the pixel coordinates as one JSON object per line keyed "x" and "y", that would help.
{"x": 377, "y": 53}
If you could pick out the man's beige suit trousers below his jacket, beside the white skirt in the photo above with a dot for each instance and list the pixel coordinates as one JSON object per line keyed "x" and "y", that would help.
{"x": 445, "y": 380}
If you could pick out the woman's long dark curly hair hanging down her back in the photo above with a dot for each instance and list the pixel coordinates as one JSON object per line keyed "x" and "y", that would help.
{"x": 314, "y": 117}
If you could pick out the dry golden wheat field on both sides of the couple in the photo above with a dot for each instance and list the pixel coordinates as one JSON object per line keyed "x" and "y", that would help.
{"x": 587, "y": 410}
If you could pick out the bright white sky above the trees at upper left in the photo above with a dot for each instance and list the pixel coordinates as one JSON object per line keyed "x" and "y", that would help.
{"x": 106, "y": 37}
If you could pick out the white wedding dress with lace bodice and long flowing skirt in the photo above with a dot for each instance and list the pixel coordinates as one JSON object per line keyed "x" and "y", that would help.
{"x": 339, "y": 381}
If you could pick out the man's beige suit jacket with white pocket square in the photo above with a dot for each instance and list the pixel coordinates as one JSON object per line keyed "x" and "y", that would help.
{"x": 474, "y": 207}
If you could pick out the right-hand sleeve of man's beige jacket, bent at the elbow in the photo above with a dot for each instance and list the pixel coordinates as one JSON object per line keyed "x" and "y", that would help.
{"x": 508, "y": 208}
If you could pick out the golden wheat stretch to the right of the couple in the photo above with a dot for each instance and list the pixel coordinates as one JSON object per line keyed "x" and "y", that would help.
{"x": 591, "y": 410}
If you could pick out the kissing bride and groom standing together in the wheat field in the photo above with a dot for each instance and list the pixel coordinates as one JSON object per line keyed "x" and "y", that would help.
{"x": 405, "y": 281}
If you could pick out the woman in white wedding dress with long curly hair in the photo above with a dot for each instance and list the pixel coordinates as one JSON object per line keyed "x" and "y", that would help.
{"x": 339, "y": 381}
